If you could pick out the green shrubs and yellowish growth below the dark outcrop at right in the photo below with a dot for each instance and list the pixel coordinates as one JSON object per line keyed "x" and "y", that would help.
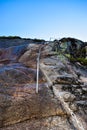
{"x": 77, "y": 56}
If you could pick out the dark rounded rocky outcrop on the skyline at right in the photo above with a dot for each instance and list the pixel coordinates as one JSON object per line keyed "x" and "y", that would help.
{"x": 76, "y": 48}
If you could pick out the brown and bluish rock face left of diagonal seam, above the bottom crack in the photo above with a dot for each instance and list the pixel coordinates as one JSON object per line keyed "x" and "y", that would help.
{"x": 18, "y": 99}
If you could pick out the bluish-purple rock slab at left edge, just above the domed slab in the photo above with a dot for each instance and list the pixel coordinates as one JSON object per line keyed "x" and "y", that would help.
{"x": 12, "y": 54}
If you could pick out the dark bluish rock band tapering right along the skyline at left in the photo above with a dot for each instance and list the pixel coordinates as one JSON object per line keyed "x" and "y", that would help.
{"x": 10, "y": 41}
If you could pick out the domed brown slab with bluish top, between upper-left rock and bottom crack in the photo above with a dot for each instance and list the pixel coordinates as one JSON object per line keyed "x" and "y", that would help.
{"x": 18, "y": 100}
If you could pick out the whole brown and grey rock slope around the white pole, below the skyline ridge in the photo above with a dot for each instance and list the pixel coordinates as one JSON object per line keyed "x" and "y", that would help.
{"x": 62, "y": 90}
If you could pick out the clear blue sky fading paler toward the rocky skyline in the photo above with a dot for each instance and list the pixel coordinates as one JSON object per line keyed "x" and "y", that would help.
{"x": 44, "y": 18}
